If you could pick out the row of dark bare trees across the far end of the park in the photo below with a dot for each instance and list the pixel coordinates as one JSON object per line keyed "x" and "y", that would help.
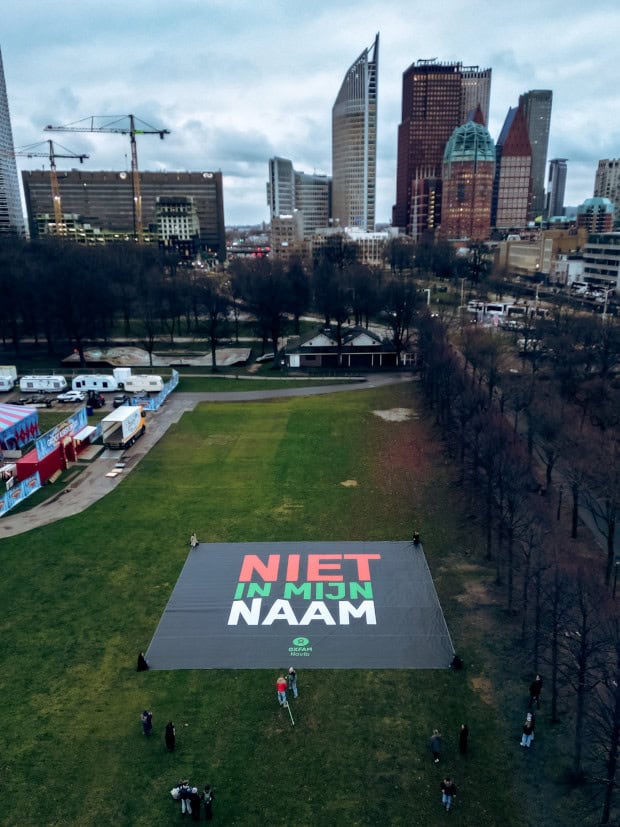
{"x": 54, "y": 291}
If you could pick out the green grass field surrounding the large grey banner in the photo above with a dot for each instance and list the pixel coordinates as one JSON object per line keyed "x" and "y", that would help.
{"x": 81, "y": 597}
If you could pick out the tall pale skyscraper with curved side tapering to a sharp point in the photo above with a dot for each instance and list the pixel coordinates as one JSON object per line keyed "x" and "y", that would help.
{"x": 354, "y": 143}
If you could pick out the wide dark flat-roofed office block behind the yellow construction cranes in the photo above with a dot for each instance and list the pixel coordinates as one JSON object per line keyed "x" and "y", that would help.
{"x": 105, "y": 200}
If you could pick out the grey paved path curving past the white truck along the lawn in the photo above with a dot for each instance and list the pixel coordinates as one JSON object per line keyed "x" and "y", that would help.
{"x": 92, "y": 483}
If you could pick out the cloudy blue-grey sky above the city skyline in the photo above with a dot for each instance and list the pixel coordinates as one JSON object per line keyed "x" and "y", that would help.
{"x": 237, "y": 82}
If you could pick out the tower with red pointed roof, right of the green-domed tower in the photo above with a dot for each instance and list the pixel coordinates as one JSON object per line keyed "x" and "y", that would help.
{"x": 512, "y": 188}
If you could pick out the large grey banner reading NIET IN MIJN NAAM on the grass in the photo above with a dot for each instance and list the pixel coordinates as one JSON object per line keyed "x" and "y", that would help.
{"x": 318, "y": 605}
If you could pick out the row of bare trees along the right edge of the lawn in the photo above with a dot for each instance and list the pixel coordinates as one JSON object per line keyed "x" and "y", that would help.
{"x": 500, "y": 427}
